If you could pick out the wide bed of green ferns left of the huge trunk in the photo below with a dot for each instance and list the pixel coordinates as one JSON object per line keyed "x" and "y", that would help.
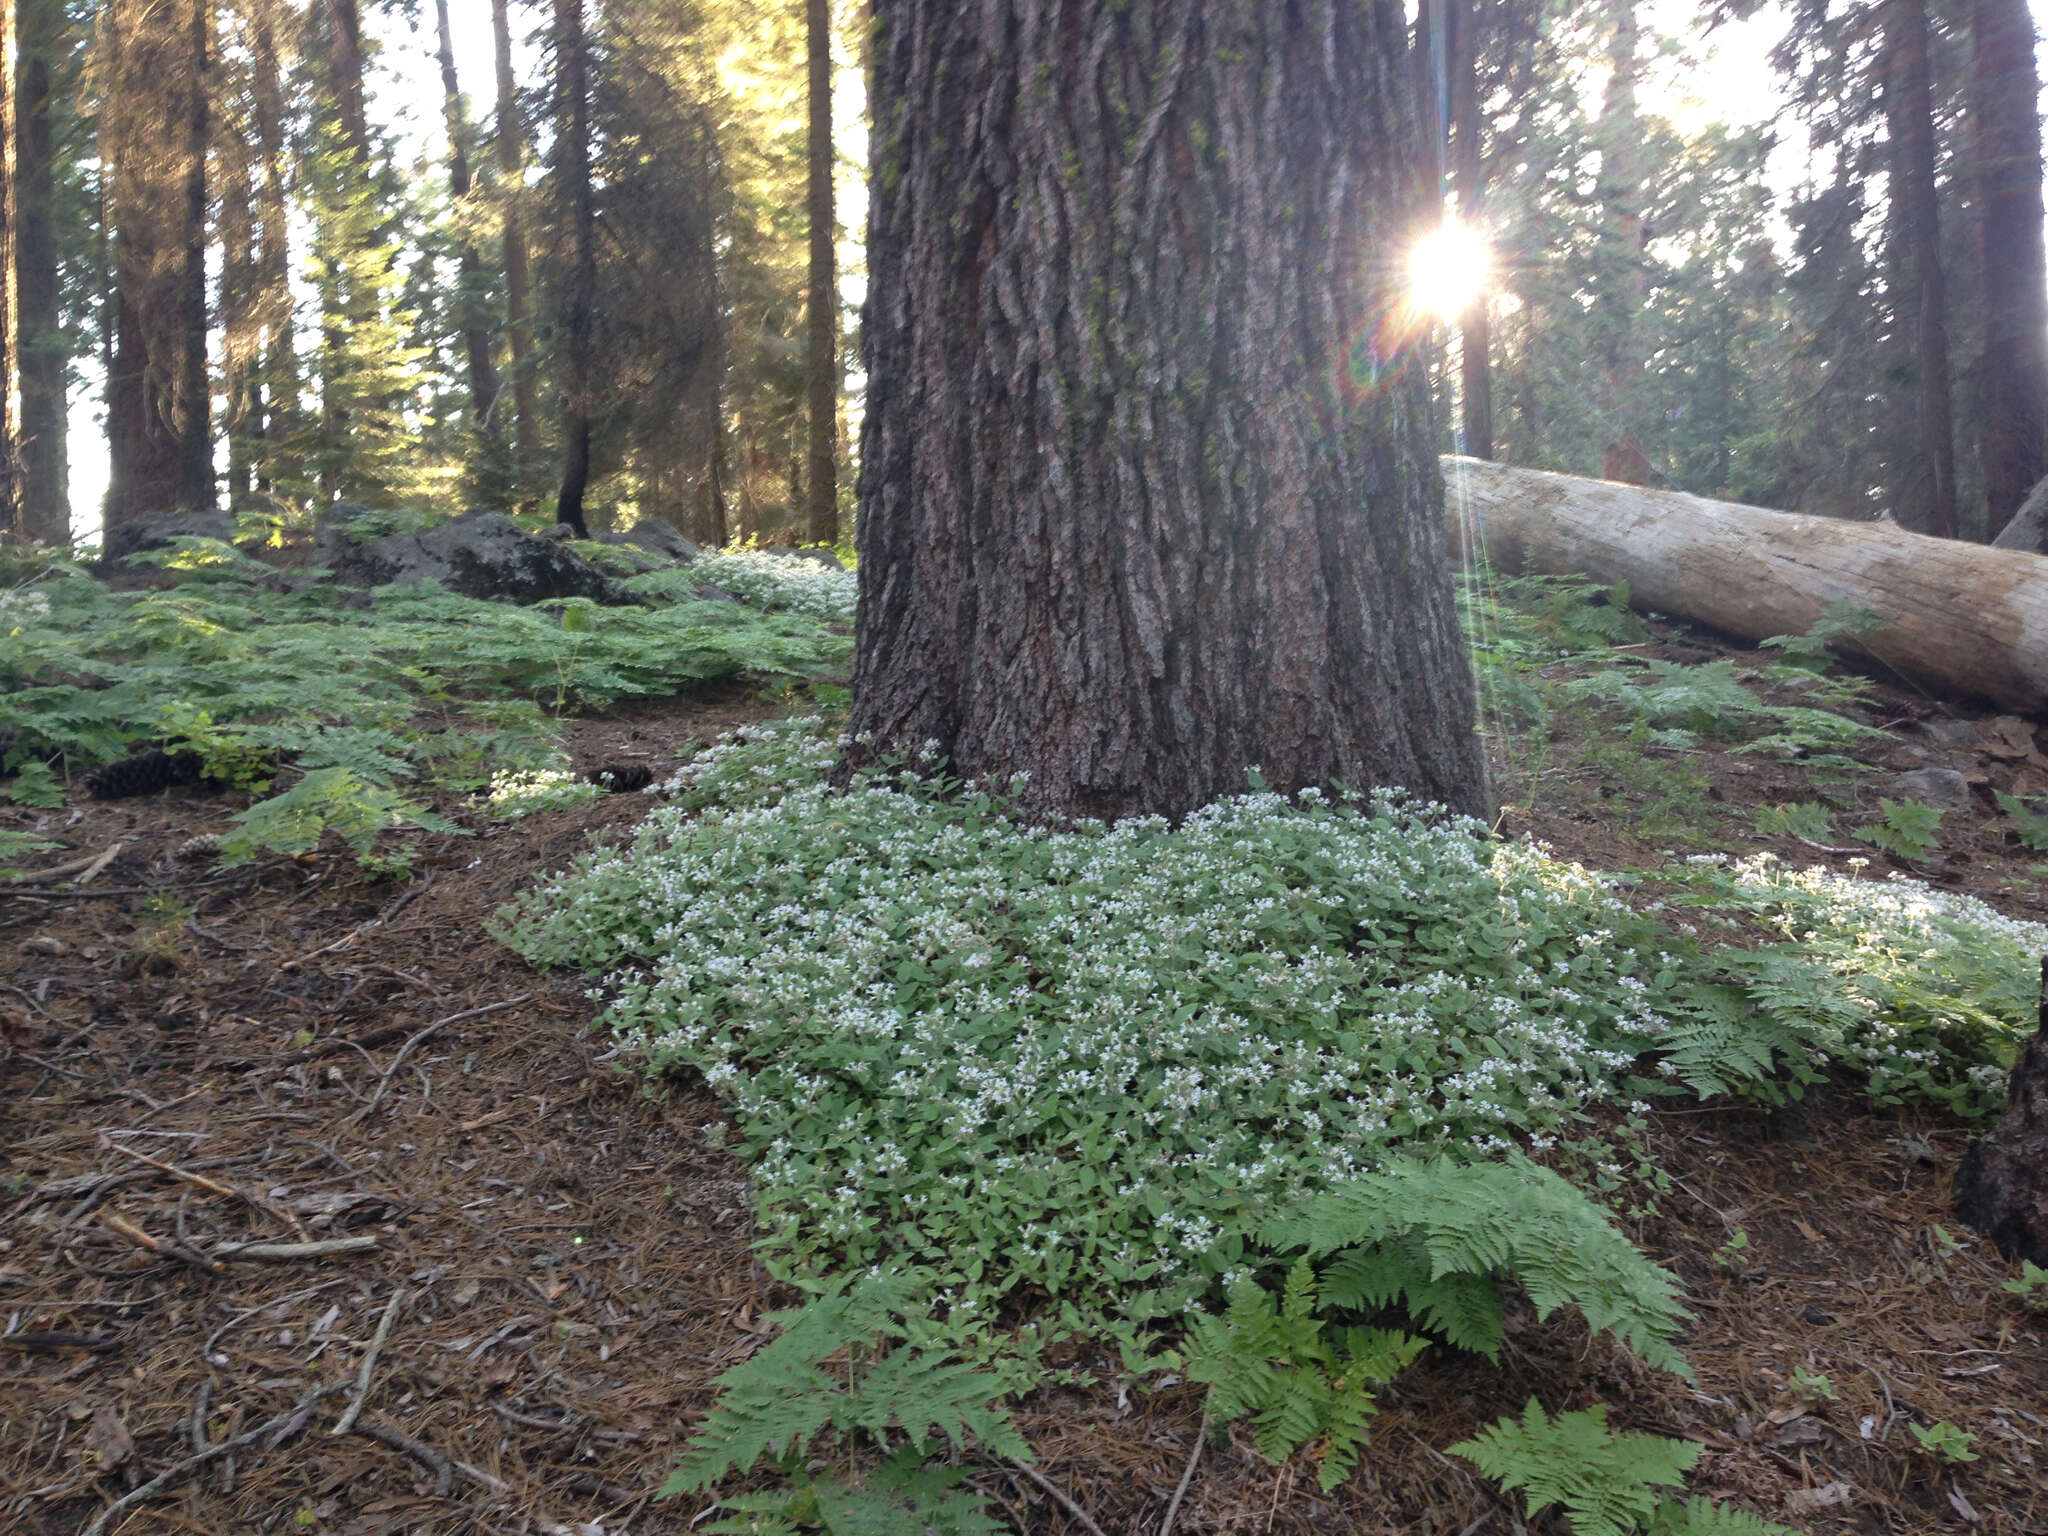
{"x": 355, "y": 708}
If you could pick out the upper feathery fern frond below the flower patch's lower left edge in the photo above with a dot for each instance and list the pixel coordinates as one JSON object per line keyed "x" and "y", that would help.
{"x": 783, "y": 1398}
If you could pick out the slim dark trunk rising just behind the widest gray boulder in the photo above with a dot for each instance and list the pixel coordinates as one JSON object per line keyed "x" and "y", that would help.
{"x": 581, "y": 280}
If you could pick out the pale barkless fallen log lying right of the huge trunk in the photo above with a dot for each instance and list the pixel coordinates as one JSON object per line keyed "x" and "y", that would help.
{"x": 1957, "y": 620}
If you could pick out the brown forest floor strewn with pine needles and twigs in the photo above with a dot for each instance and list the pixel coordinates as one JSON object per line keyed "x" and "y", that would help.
{"x": 556, "y": 1265}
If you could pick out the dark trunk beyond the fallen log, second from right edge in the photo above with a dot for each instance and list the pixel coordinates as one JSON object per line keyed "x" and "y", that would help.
{"x": 1924, "y": 474}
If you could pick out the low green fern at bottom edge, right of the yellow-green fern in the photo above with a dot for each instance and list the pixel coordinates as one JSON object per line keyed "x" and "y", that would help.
{"x": 1605, "y": 1482}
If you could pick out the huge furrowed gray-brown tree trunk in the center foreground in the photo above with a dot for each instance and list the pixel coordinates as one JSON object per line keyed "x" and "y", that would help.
{"x": 1148, "y": 499}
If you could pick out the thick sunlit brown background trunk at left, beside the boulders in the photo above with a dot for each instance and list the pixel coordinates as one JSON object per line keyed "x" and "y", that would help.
{"x": 153, "y": 128}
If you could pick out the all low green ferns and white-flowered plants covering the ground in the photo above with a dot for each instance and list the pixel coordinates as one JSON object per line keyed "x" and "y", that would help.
{"x": 1273, "y": 1101}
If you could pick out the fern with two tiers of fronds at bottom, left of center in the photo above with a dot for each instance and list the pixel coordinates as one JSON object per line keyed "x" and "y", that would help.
{"x": 855, "y": 1369}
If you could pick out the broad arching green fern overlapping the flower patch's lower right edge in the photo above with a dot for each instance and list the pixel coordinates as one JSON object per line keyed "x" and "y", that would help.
{"x": 1433, "y": 1236}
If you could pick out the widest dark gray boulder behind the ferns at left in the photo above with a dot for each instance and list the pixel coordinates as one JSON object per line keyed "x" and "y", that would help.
{"x": 480, "y": 556}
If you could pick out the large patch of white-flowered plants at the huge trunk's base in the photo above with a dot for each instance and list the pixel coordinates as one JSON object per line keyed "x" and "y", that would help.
{"x": 943, "y": 1029}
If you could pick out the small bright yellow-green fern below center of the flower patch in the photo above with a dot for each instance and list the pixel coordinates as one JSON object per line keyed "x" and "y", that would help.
{"x": 1293, "y": 1375}
